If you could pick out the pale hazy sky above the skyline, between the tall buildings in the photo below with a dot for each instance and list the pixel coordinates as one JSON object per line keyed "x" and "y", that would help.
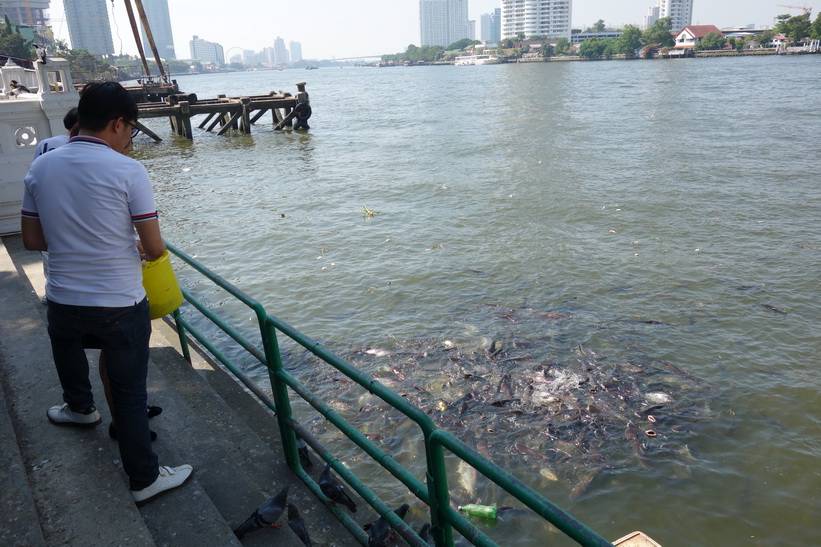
{"x": 337, "y": 29}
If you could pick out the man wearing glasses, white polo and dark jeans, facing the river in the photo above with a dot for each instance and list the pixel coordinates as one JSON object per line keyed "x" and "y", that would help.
{"x": 82, "y": 203}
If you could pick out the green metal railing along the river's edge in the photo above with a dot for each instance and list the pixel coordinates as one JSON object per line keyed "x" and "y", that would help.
{"x": 433, "y": 491}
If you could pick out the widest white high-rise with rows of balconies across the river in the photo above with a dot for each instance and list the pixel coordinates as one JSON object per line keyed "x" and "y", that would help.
{"x": 549, "y": 18}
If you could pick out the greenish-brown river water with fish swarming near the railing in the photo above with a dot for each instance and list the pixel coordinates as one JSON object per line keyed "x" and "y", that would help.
{"x": 605, "y": 275}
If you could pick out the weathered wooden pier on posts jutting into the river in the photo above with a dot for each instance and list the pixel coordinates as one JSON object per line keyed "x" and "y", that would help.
{"x": 229, "y": 113}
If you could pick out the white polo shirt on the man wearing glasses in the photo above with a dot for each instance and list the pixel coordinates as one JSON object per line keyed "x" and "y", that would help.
{"x": 88, "y": 197}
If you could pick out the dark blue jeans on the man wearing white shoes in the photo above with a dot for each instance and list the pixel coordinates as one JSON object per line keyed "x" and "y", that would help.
{"x": 122, "y": 335}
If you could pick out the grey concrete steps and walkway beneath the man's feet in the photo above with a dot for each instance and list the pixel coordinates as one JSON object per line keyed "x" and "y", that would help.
{"x": 64, "y": 486}
